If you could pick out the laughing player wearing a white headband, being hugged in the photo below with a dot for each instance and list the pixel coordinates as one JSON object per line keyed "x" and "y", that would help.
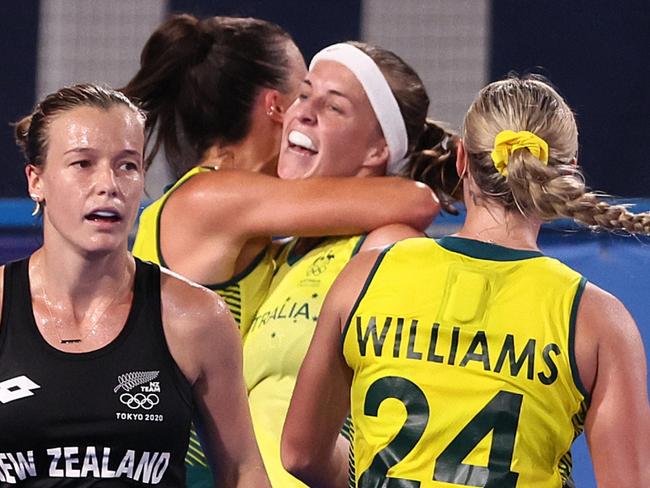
{"x": 360, "y": 112}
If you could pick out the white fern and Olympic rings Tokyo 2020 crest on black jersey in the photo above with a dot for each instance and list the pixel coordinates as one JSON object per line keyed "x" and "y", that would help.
{"x": 139, "y": 392}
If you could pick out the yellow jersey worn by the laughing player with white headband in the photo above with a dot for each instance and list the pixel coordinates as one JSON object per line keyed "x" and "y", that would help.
{"x": 279, "y": 337}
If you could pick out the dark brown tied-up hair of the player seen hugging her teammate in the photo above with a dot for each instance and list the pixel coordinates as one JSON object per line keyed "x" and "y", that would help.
{"x": 198, "y": 80}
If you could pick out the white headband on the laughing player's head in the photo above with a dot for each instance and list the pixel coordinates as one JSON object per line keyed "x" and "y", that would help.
{"x": 379, "y": 94}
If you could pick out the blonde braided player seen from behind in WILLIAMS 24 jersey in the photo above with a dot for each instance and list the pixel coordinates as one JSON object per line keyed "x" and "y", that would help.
{"x": 475, "y": 360}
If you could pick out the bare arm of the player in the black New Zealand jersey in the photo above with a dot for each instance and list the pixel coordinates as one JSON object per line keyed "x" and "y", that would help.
{"x": 205, "y": 343}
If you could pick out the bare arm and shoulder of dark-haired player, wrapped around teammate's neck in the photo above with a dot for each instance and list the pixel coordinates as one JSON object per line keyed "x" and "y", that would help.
{"x": 223, "y": 214}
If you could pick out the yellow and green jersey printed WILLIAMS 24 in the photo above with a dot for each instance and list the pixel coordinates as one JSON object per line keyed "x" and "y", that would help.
{"x": 464, "y": 369}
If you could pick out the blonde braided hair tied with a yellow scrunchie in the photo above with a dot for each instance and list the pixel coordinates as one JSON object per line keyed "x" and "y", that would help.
{"x": 544, "y": 191}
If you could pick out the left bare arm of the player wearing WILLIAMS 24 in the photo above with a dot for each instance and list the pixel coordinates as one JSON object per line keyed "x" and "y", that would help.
{"x": 312, "y": 449}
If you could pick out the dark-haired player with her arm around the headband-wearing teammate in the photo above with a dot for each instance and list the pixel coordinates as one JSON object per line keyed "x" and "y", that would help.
{"x": 216, "y": 91}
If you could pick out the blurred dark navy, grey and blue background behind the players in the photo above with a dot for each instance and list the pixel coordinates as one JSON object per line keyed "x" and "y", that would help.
{"x": 594, "y": 51}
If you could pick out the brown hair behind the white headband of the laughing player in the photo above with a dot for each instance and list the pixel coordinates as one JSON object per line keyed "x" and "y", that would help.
{"x": 431, "y": 148}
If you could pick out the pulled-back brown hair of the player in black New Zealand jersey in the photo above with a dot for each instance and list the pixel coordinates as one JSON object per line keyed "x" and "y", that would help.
{"x": 31, "y": 132}
